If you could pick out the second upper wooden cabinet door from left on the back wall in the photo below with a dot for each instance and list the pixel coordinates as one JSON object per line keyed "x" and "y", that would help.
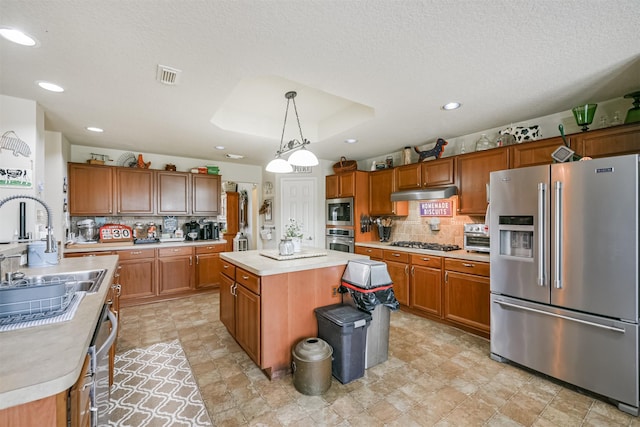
{"x": 134, "y": 191}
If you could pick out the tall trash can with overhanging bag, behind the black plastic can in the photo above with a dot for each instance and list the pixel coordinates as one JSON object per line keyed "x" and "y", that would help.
{"x": 369, "y": 288}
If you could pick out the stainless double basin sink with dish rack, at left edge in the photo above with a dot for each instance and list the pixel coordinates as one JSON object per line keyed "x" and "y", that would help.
{"x": 22, "y": 296}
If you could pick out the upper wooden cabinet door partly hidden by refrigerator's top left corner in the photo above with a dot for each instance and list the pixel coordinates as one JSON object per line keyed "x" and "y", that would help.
{"x": 473, "y": 178}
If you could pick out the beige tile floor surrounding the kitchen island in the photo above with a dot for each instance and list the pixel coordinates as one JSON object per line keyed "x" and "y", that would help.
{"x": 435, "y": 375}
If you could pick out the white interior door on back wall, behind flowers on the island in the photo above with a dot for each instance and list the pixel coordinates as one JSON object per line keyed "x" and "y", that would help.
{"x": 299, "y": 202}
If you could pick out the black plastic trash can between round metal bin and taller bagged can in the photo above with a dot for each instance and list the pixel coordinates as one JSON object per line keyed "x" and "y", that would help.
{"x": 345, "y": 328}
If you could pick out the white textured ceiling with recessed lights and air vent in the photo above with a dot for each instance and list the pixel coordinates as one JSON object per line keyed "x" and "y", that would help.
{"x": 505, "y": 60}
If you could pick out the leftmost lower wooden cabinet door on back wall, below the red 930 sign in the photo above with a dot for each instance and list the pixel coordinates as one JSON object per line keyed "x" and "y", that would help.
{"x": 137, "y": 278}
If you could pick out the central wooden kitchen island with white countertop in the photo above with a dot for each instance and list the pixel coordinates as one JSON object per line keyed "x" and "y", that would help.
{"x": 268, "y": 305}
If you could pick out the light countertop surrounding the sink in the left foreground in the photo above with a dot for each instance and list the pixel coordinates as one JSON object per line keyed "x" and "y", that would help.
{"x": 41, "y": 361}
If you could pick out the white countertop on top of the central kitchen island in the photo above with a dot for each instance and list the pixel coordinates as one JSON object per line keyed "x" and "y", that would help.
{"x": 262, "y": 265}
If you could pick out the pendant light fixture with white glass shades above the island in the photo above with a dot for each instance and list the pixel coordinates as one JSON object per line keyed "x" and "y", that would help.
{"x": 300, "y": 156}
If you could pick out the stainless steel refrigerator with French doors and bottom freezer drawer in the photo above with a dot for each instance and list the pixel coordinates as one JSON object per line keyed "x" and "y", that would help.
{"x": 564, "y": 273}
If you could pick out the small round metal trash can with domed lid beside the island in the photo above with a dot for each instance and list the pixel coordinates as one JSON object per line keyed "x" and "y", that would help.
{"x": 311, "y": 366}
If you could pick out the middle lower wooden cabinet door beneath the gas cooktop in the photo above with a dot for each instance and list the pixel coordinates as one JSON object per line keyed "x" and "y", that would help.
{"x": 426, "y": 289}
